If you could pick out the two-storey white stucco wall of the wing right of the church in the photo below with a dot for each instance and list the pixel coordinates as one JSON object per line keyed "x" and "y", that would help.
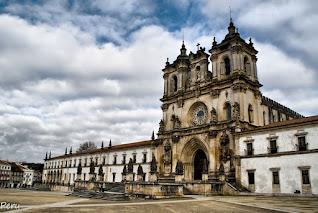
{"x": 287, "y": 160}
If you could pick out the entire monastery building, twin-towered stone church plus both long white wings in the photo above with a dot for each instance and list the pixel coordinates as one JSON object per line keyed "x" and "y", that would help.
{"x": 208, "y": 120}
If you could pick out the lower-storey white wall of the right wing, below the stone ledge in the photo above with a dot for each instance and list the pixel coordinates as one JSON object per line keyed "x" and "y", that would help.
{"x": 289, "y": 174}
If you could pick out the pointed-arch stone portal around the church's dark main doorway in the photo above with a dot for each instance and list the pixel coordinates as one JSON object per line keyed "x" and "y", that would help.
{"x": 192, "y": 153}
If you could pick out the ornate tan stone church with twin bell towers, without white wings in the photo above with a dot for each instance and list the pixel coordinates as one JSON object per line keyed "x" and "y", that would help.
{"x": 202, "y": 110}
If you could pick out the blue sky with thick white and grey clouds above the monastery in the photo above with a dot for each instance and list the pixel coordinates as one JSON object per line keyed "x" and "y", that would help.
{"x": 76, "y": 71}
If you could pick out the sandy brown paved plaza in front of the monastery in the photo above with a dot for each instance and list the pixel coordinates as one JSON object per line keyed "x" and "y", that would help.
{"x": 33, "y": 201}
